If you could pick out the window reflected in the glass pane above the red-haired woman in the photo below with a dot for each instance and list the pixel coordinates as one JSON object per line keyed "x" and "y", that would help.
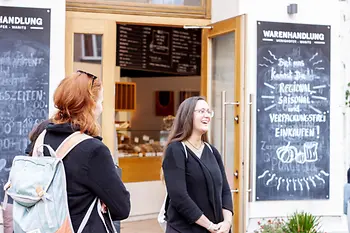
{"x": 91, "y": 47}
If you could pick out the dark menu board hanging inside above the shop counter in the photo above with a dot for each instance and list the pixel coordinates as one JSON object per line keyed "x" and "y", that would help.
{"x": 159, "y": 49}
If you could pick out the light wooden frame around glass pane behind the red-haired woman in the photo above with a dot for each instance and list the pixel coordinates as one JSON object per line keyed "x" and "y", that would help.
{"x": 107, "y": 29}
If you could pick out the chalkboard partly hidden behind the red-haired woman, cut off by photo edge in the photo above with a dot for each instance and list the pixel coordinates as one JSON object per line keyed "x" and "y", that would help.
{"x": 24, "y": 79}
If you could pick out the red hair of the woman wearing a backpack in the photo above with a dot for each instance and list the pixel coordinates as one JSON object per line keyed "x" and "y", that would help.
{"x": 75, "y": 98}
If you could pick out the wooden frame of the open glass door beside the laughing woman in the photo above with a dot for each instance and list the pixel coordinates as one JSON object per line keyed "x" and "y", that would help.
{"x": 217, "y": 29}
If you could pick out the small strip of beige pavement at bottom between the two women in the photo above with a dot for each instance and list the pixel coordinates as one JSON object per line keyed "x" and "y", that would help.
{"x": 144, "y": 226}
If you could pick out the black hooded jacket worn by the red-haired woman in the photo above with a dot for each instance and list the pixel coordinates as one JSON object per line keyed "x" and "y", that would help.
{"x": 90, "y": 173}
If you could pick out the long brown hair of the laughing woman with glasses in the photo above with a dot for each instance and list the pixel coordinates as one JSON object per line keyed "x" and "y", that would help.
{"x": 183, "y": 124}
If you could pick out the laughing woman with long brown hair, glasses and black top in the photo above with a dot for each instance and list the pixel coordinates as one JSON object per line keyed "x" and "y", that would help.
{"x": 199, "y": 197}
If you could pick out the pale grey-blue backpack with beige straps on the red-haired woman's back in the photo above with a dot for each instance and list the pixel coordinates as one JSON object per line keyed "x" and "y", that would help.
{"x": 37, "y": 185}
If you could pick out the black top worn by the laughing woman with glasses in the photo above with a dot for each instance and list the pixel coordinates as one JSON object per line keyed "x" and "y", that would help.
{"x": 195, "y": 186}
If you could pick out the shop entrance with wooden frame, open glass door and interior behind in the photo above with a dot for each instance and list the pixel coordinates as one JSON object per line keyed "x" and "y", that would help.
{"x": 91, "y": 44}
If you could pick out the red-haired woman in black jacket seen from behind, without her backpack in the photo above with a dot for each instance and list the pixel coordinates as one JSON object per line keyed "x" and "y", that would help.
{"x": 89, "y": 167}
